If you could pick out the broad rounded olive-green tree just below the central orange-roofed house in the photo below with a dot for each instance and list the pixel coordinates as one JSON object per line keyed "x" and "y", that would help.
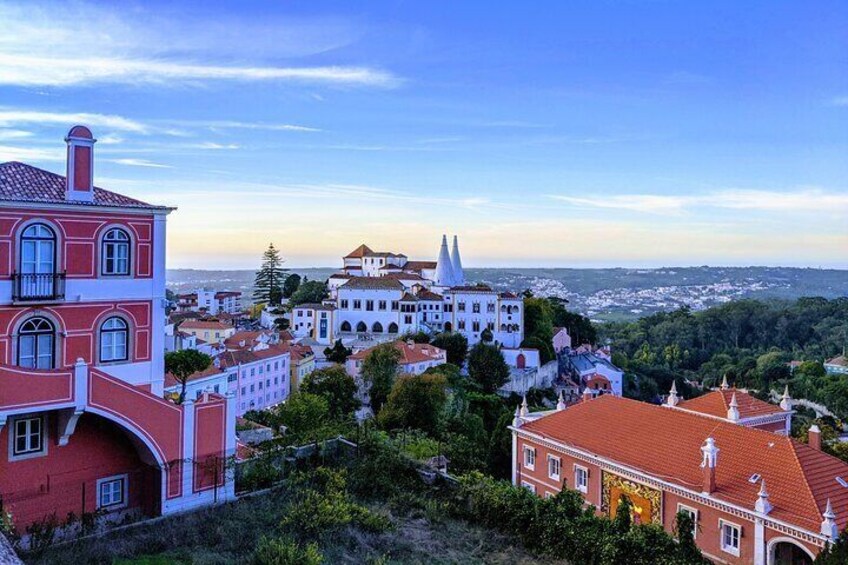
{"x": 416, "y": 402}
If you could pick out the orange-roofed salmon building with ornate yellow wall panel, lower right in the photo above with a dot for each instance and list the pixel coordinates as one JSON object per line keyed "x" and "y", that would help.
{"x": 756, "y": 496}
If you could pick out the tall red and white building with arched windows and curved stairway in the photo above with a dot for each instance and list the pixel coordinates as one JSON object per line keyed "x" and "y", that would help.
{"x": 83, "y": 422}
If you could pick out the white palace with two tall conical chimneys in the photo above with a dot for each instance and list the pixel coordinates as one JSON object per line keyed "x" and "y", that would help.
{"x": 383, "y": 294}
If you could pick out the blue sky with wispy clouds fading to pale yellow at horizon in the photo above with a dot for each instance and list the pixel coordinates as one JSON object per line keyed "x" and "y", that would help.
{"x": 549, "y": 134}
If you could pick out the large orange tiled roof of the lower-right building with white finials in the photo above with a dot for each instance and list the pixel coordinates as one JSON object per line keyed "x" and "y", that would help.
{"x": 665, "y": 443}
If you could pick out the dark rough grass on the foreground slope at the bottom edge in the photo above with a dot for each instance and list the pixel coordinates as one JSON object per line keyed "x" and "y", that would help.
{"x": 229, "y": 534}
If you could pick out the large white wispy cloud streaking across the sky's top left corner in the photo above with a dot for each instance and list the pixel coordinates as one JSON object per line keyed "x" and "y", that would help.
{"x": 43, "y": 46}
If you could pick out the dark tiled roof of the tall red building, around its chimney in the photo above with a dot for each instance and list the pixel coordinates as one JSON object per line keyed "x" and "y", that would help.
{"x": 20, "y": 182}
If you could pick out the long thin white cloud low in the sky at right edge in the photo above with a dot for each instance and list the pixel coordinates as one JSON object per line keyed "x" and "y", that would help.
{"x": 798, "y": 200}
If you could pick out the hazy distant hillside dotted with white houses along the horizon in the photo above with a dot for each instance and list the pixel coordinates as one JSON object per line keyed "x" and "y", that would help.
{"x": 605, "y": 294}
